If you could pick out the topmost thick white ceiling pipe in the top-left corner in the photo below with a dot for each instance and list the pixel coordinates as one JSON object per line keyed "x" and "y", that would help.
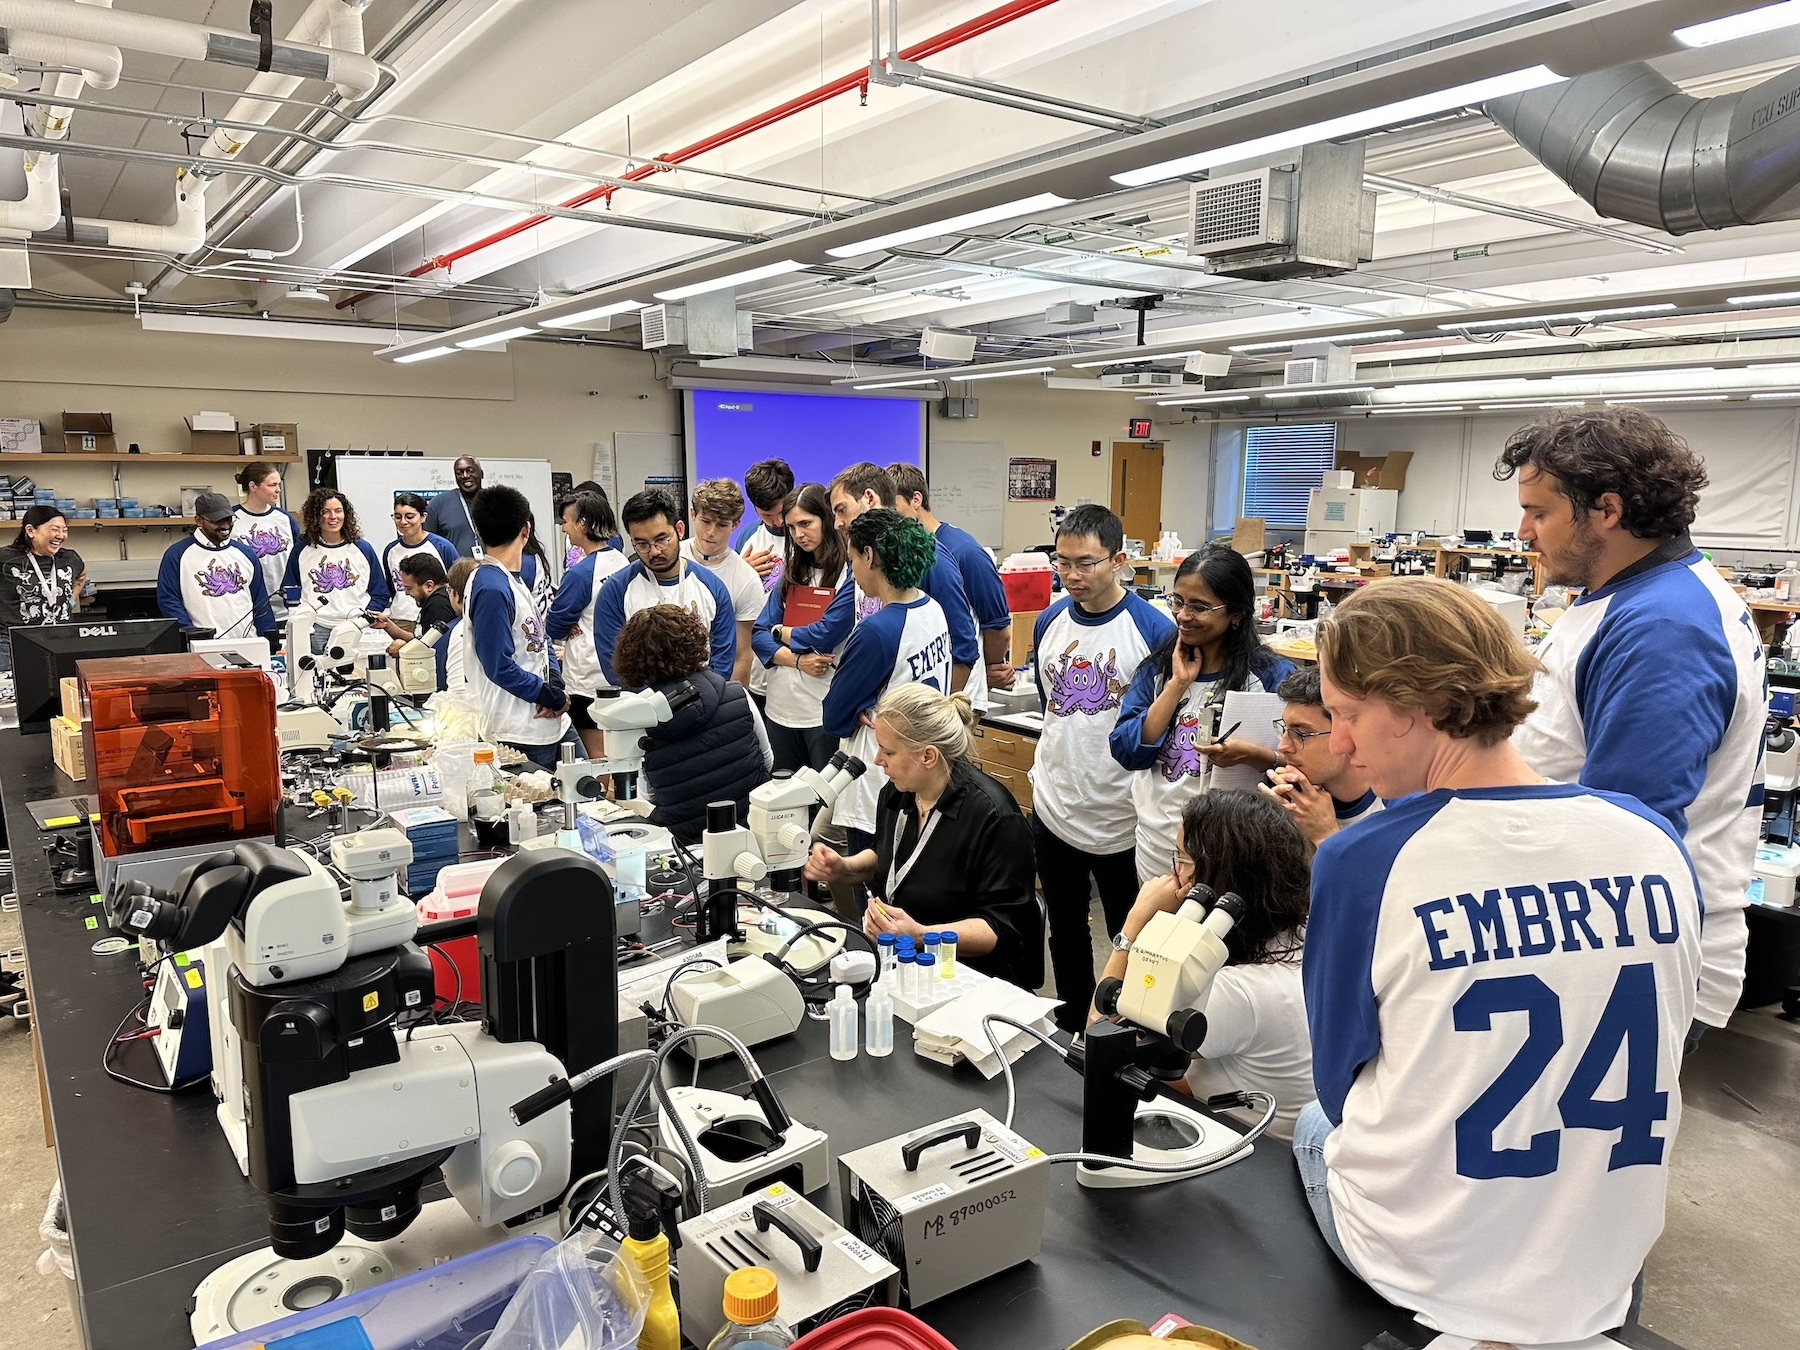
{"x": 352, "y": 73}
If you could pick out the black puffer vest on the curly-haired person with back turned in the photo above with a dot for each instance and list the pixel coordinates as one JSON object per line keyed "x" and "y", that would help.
{"x": 706, "y": 753}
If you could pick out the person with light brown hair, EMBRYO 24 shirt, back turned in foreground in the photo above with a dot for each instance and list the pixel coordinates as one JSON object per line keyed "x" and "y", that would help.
{"x": 1498, "y": 975}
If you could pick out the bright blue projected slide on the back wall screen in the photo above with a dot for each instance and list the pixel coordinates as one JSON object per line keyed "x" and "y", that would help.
{"x": 816, "y": 435}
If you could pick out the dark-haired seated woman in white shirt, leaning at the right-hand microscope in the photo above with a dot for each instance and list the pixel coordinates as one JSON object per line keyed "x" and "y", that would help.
{"x": 1255, "y": 1012}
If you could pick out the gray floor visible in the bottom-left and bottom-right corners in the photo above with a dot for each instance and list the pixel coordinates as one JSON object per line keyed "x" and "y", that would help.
{"x": 1722, "y": 1279}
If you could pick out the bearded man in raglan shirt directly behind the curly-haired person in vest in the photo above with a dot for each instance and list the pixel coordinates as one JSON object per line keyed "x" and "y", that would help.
{"x": 661, "y": 577}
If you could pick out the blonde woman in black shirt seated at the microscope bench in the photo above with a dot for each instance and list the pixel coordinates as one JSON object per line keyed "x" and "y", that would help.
{"x": 953, "y": 852}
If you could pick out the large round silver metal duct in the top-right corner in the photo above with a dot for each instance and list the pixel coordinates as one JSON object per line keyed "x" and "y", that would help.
{"x": 1637, "y": 148}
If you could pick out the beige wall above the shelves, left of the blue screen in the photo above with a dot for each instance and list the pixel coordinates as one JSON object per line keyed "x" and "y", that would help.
{"x": 528, "y": 402}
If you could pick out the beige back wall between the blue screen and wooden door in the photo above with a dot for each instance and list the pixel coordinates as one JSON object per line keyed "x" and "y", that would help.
{"x": 1045, "y": 424}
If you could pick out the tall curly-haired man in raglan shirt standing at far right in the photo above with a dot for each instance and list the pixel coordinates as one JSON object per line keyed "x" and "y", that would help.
{"x": 1653, "y": 679}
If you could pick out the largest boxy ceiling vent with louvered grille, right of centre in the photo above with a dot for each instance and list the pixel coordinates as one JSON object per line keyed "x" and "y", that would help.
{"x": 1311, "y": 219}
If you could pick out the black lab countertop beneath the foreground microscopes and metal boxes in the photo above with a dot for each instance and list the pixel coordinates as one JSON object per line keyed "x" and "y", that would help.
{"x": 156, "y": 1200}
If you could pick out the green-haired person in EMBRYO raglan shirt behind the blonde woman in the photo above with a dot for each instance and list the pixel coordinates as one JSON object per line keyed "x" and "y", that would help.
{"x": 906, "y": 642}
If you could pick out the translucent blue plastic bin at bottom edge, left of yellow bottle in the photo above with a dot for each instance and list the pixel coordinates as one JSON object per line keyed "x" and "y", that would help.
{"x": 447, "y": 1308}
